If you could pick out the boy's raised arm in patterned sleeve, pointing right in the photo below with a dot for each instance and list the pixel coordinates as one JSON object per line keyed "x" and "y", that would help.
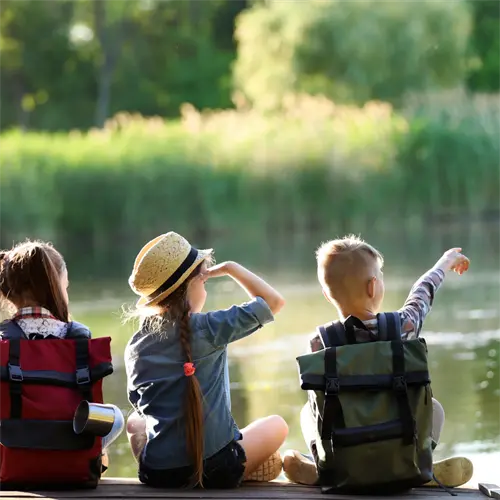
{"x": 419, "y": 301}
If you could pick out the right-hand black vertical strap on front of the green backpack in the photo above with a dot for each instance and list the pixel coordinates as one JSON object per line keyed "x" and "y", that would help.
{"x": 401, "y": 390}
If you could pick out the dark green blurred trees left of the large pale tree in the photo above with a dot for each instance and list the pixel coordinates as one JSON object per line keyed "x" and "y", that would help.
{"x": 73, "y": 63}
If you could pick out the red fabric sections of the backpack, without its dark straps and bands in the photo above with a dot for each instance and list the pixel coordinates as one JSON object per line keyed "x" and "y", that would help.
{"x": 48, "y": 402}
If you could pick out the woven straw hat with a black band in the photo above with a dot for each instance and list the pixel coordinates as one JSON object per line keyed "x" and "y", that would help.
{"x": 162, "y": 266}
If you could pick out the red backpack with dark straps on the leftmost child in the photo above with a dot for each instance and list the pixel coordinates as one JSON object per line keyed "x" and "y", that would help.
{"x": 41, "y": 384}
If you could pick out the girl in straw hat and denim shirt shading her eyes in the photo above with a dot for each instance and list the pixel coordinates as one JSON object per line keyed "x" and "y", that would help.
{"x": 182, "y": 432}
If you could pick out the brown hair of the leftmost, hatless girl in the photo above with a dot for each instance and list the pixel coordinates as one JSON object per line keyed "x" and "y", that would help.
{"x": 30, "y": 273}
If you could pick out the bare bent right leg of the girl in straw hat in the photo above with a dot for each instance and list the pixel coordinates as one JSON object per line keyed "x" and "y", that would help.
{"x": 261, "y": 439}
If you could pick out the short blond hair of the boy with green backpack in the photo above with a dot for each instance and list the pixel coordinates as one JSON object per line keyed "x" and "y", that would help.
{"x": 344, "y": 264}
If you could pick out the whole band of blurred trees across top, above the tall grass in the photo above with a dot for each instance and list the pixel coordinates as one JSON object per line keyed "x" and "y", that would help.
{"x": 68, "y": 64}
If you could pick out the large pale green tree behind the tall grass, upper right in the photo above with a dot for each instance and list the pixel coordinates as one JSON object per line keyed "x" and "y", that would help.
{"x": 350, "y": 51}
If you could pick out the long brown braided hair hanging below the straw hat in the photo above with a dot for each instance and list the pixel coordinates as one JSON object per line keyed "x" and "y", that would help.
{"x": 176, "y": 310}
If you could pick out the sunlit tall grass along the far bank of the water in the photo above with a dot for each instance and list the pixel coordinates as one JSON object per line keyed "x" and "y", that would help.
{"x": 317, "y": 164}
